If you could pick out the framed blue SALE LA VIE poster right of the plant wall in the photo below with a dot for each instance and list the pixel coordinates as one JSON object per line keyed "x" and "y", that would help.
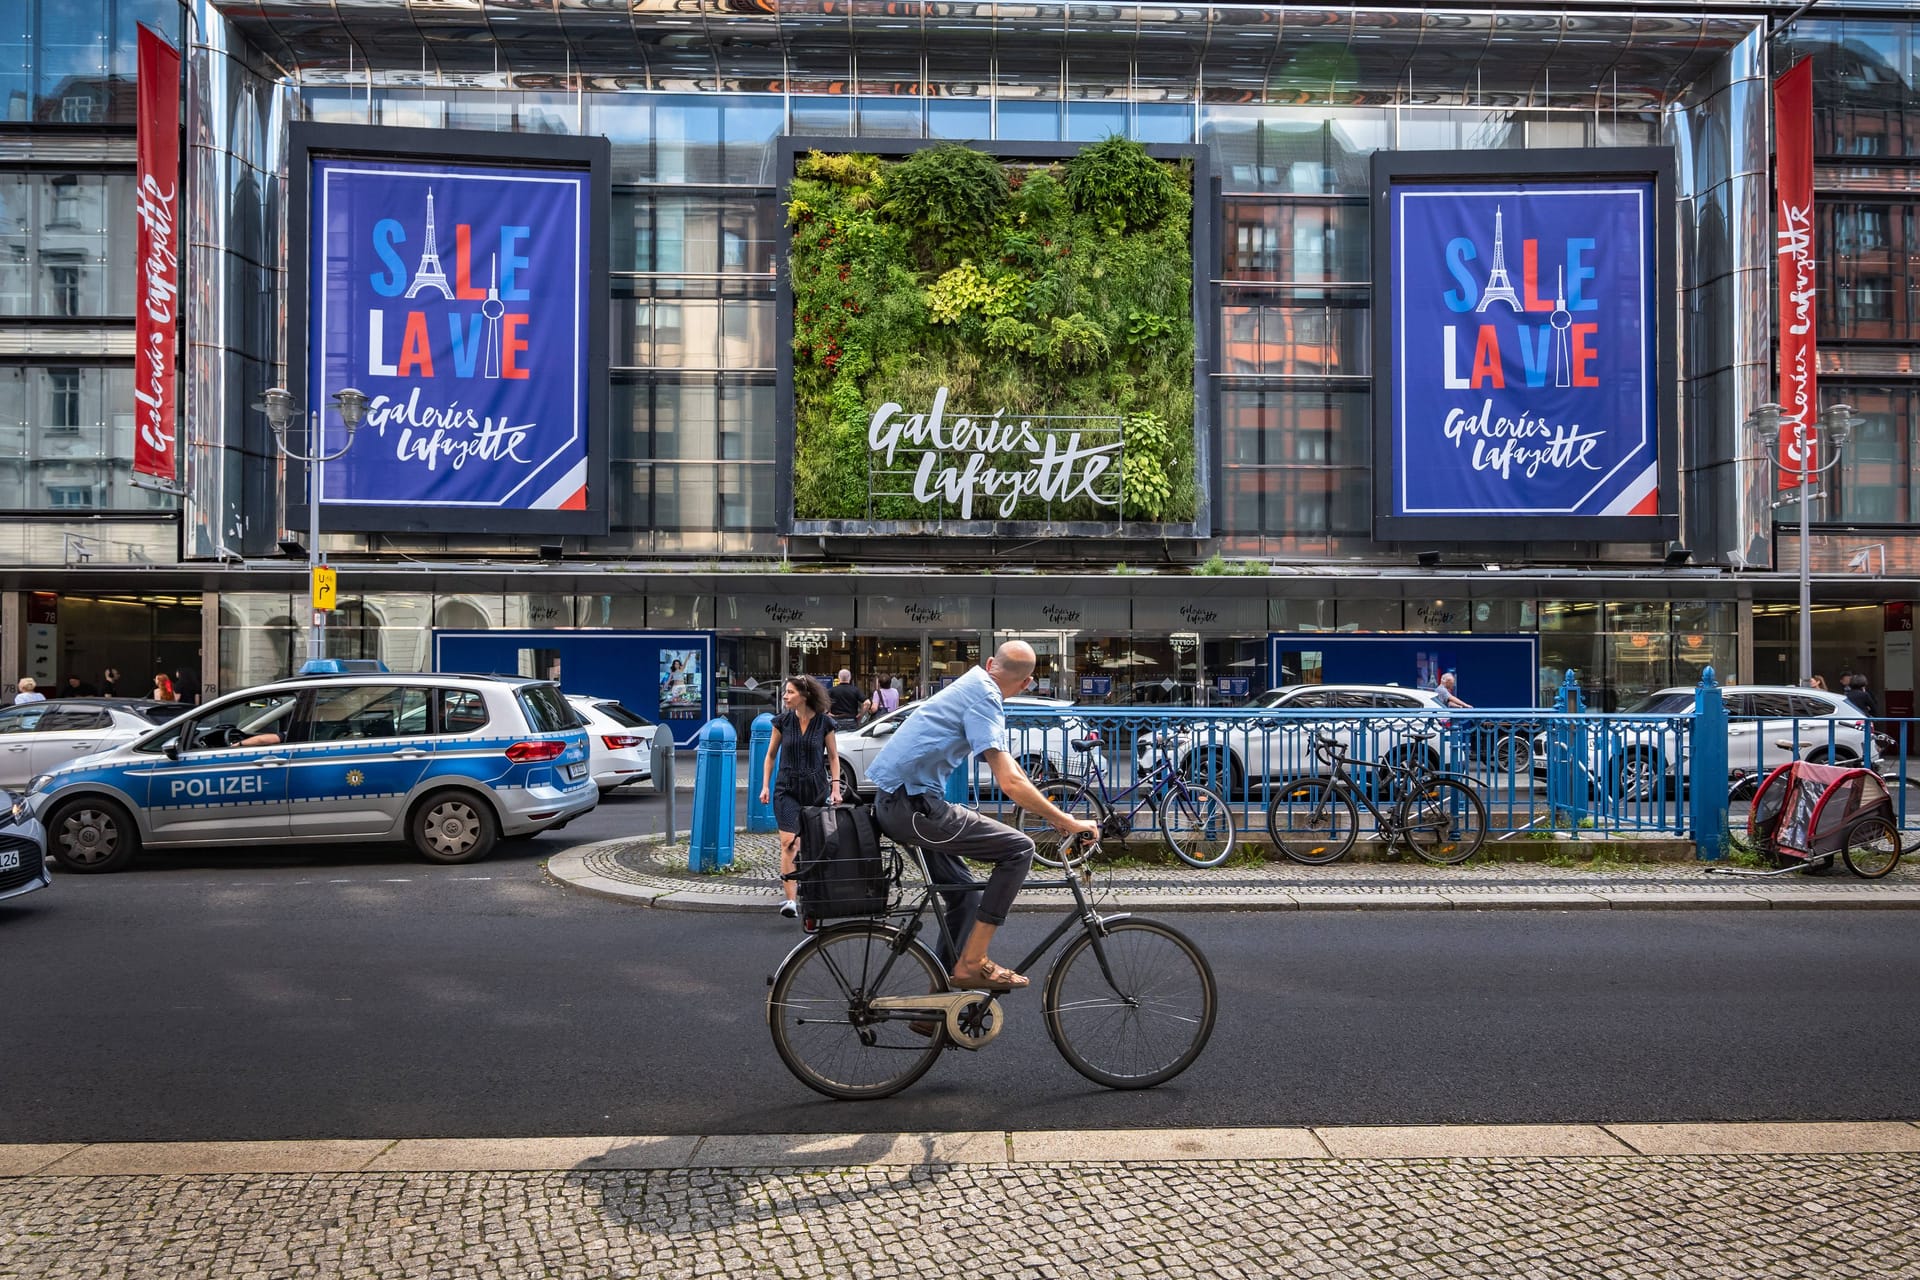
{"x": 1525, "y": 335}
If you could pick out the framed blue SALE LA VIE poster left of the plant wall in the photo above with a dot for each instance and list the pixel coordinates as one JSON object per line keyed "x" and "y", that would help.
{"x": 466, "y": 298}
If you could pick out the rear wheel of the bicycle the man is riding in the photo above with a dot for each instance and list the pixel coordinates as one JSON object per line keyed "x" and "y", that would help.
{"x": 825, "y": 1028}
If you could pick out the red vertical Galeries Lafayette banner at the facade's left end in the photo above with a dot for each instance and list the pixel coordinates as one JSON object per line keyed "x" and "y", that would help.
{"x": 156, "y": 245}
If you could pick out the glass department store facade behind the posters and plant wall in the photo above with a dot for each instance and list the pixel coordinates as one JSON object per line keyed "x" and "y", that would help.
{"x": 1291, "y": 120}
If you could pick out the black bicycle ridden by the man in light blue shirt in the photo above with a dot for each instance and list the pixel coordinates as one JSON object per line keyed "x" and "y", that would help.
{"x": 863, "y": 1008}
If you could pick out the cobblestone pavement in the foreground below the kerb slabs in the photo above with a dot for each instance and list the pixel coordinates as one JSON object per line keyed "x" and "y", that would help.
{"x": 1539, "y": 1220}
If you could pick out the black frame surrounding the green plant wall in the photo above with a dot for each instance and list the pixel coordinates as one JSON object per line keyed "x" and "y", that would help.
{"x": 1203, "y": 302}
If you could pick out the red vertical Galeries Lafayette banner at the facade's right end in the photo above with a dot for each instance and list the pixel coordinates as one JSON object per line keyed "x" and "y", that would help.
{"x": 1794, "y": 245}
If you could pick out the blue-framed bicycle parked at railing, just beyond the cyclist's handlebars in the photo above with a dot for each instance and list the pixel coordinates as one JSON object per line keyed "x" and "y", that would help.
{"x": 1193, "y": 820}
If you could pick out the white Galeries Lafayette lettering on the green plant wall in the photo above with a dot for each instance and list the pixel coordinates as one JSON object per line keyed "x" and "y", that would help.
{"x": 959, "y": 462}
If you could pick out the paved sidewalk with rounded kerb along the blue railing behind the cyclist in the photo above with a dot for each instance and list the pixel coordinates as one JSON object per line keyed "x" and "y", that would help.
{"x": 656, "y": 872}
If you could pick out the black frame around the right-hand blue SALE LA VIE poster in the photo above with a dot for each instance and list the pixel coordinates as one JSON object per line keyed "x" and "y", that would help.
{"x": 1529, "y": 166}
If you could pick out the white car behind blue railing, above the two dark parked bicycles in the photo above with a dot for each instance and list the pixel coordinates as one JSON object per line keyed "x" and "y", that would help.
{"x": 1282, "y": 742}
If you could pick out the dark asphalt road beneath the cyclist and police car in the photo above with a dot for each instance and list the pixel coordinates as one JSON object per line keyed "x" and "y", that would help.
{"x": 360, "y": 993}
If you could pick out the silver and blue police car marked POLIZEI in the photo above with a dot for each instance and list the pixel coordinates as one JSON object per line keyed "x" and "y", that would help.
{"x": 446, "y": 763}
